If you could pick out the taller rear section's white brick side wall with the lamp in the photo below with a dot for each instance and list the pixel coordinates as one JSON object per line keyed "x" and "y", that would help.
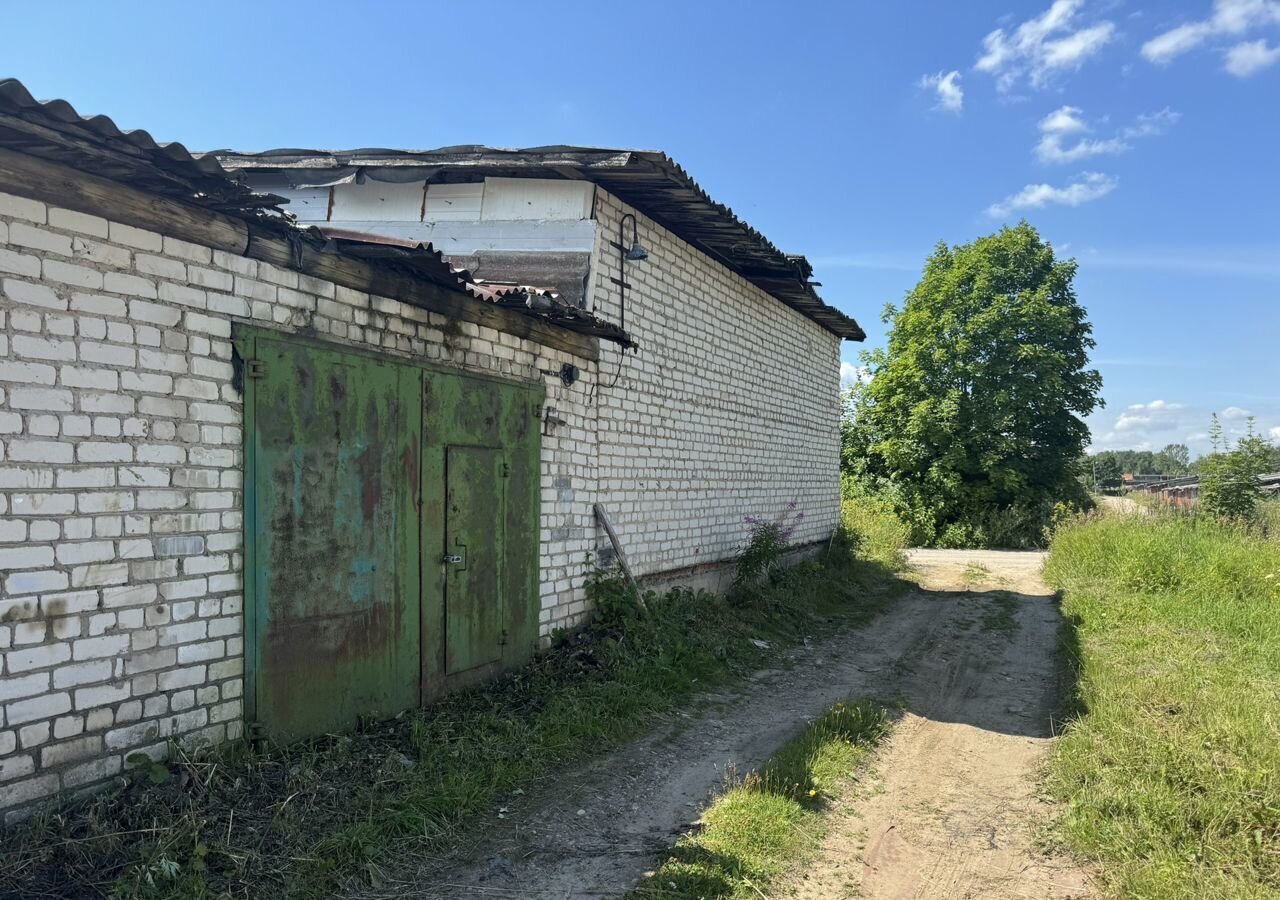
{"x": 732, "y": 409}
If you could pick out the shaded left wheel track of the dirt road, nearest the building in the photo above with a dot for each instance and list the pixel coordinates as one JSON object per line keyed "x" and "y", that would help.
{"x": 595, "y": 833}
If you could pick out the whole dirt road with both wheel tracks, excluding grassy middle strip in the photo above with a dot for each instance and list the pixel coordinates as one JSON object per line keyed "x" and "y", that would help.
{"x": 975, "y": 666}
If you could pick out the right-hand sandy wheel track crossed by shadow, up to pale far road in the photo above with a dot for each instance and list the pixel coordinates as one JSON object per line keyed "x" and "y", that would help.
{"x": 950, "y": 808}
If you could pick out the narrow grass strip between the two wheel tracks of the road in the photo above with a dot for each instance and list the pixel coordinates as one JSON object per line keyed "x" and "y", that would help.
{"x": 764, "y": 824}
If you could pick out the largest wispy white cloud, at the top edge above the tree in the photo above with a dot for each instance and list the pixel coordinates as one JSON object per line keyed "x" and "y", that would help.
{"x": 1044, "y": 47}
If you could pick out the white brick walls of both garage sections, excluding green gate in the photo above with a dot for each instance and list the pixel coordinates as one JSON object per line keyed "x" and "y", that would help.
{"x": 121, "y": 436}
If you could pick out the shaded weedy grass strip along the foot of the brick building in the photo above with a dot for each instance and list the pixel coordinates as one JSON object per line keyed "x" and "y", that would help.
{"x": 304, "y": 821}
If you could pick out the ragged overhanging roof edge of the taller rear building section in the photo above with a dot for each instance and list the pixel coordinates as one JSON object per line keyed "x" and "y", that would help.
{"x": 650, "y": 181}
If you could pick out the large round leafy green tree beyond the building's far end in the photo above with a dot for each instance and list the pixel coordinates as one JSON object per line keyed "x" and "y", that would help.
{"x": 973, "y": 414}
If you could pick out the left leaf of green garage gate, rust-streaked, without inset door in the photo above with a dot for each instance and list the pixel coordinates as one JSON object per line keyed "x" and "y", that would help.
{"x": 333, "y": 519}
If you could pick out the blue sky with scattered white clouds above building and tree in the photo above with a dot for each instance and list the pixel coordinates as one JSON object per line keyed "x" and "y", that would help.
{"x": 1144, "y": 139}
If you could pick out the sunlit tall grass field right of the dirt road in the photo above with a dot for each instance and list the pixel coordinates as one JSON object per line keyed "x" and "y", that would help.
{"x": 1171, "y": 775}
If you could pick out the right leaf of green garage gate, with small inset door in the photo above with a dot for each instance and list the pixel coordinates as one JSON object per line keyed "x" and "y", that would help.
{"x": 481, "y": 491}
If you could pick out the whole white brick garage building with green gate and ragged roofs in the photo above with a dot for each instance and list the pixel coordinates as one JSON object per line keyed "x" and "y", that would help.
{"x": 273, "y": 474}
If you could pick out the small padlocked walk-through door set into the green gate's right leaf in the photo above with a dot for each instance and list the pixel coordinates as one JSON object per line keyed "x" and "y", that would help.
{"x": 476, "y": 605}
